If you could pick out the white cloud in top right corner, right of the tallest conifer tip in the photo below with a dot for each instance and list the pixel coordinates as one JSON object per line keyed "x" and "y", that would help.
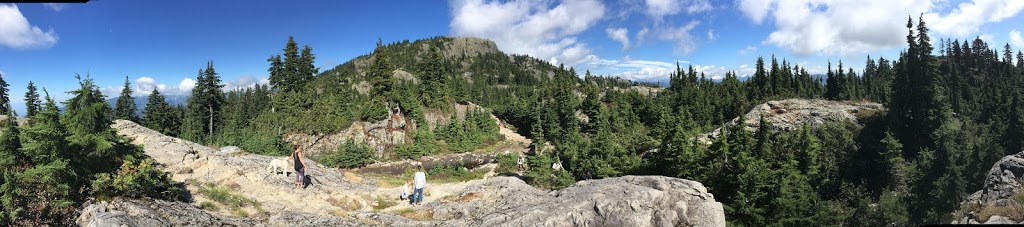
{"x": 969, "y": 17}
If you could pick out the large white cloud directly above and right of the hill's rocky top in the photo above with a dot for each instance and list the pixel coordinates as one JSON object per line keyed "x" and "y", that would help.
{"x": 530, "y": 27}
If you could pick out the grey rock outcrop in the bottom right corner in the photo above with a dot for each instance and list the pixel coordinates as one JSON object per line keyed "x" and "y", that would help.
{"x": 1003, "y": 192}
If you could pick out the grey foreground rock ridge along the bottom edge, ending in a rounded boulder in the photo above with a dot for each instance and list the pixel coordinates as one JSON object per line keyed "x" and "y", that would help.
{"x": 632, "y": 201}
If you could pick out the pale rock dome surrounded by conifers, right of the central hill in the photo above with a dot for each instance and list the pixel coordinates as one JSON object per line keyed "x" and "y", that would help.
{"x": 793, "y": 114}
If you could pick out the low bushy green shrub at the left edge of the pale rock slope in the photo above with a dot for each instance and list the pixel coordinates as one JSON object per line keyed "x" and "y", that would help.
{"x": 138, "y": 180}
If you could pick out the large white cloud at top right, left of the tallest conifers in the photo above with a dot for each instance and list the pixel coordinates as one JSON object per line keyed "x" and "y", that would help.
{"x": 835, "y": 27}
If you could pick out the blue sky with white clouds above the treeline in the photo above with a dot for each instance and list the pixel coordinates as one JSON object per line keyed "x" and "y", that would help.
{"x": 163, "y": 44}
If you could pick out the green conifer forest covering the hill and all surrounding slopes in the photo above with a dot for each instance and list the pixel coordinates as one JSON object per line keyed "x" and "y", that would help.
{"x": 953, "y": 112}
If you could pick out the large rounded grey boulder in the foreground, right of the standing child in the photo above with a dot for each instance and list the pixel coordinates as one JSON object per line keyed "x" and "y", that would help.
{"x": 630, "y": 201}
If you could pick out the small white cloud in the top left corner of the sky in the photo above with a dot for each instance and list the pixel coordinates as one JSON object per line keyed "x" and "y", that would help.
{"x": 16, "y": 32}
